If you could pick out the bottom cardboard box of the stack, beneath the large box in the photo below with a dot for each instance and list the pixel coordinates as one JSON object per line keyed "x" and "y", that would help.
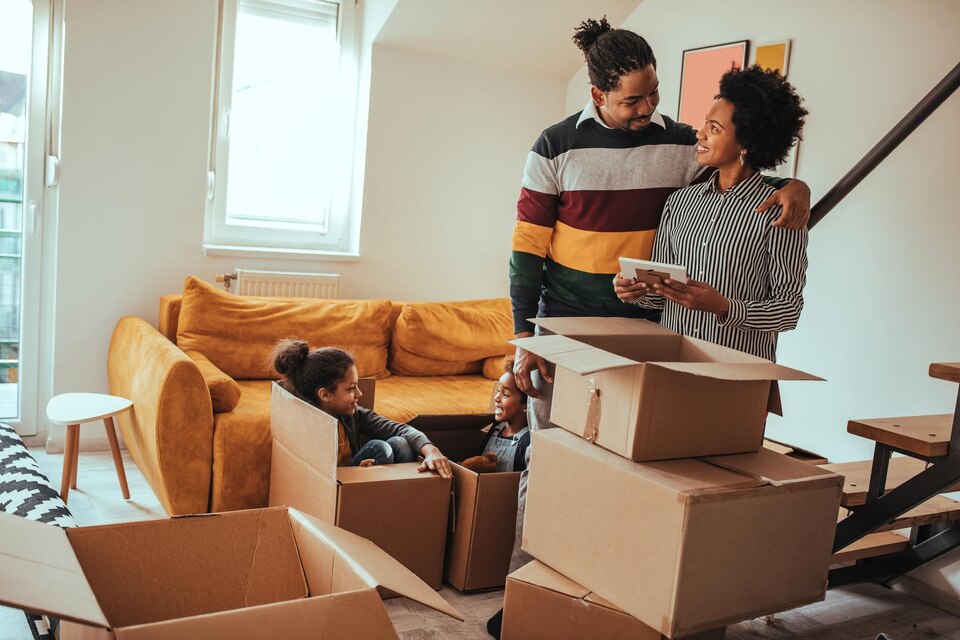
{"x": 541, "y": 603}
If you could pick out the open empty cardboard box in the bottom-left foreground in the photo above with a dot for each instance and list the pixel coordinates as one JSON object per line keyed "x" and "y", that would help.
{"x": 243, "y": 574}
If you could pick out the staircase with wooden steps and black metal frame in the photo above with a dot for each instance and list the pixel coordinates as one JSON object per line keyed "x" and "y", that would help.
{"x": 900, "y": 492}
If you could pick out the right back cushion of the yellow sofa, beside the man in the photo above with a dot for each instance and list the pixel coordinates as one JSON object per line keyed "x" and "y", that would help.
{"x": 450, "y": 338}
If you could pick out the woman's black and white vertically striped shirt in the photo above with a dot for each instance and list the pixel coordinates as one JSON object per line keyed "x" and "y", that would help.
{"x": 722, "y": 241}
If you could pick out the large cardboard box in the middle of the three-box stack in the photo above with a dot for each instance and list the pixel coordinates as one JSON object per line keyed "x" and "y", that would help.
{"x": 683, "y": 545}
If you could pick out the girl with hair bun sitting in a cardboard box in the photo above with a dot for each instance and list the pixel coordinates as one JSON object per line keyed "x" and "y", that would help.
{"x": 327, "y": 378}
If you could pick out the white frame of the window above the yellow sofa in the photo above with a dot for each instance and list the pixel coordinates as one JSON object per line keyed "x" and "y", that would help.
{"x": 283, "y": 239}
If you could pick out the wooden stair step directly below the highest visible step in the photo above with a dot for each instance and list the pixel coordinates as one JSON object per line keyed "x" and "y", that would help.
{"x": 924, "y": 435}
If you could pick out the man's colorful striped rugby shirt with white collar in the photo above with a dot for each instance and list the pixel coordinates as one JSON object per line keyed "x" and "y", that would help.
{"x": 591, "y": 194}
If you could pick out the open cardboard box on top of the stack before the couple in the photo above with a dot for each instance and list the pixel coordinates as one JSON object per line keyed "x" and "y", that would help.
{"x": 648, "y": 393}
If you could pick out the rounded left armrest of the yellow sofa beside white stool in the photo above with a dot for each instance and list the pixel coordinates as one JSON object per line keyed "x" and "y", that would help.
{"x": 169, "y": 433}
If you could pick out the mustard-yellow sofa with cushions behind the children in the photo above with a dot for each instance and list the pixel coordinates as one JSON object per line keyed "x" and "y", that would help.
{"x": 200, "y": 383}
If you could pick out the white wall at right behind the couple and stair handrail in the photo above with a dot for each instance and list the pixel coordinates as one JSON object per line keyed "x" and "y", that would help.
{"x": 882, "y": 300}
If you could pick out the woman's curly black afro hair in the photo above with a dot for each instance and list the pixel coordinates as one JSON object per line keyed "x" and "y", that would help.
{"x": 766, "y": 112}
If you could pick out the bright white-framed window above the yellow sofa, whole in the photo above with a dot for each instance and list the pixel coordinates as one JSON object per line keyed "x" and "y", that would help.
{"x": 282, "y": 159}
